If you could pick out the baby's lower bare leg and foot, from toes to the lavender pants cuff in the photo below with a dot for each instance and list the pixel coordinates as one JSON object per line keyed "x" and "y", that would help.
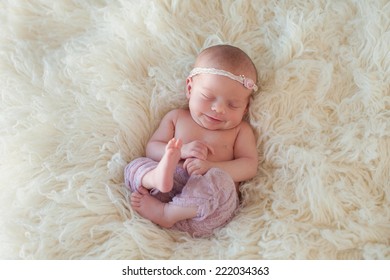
{"x": 163, "y": 214}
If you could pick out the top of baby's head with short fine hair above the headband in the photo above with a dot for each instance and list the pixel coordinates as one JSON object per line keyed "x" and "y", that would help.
{"x": 229, "y": 58}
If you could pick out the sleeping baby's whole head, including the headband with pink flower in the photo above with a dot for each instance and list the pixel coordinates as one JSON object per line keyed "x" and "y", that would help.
{"x": 219, "y": 87}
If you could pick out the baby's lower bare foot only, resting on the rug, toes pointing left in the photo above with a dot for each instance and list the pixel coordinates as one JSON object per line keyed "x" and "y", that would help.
{"x": 150, "y": 208}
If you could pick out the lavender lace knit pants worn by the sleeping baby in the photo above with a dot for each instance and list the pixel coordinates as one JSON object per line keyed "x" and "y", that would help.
{"x": 214, "y": 193}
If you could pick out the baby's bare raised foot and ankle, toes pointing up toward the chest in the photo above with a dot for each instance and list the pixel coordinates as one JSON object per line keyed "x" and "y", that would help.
{"x": 161, "y": 178}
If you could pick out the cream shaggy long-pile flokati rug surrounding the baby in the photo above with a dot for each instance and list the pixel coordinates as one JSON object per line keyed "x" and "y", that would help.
{"x": 85, "y": 83}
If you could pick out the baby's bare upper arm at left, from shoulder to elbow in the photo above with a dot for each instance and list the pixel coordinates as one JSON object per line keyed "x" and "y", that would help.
{"x": 155, "y": 148}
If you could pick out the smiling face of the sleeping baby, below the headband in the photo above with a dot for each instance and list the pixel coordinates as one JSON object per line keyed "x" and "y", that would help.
{"x": 217, "y": 102}
